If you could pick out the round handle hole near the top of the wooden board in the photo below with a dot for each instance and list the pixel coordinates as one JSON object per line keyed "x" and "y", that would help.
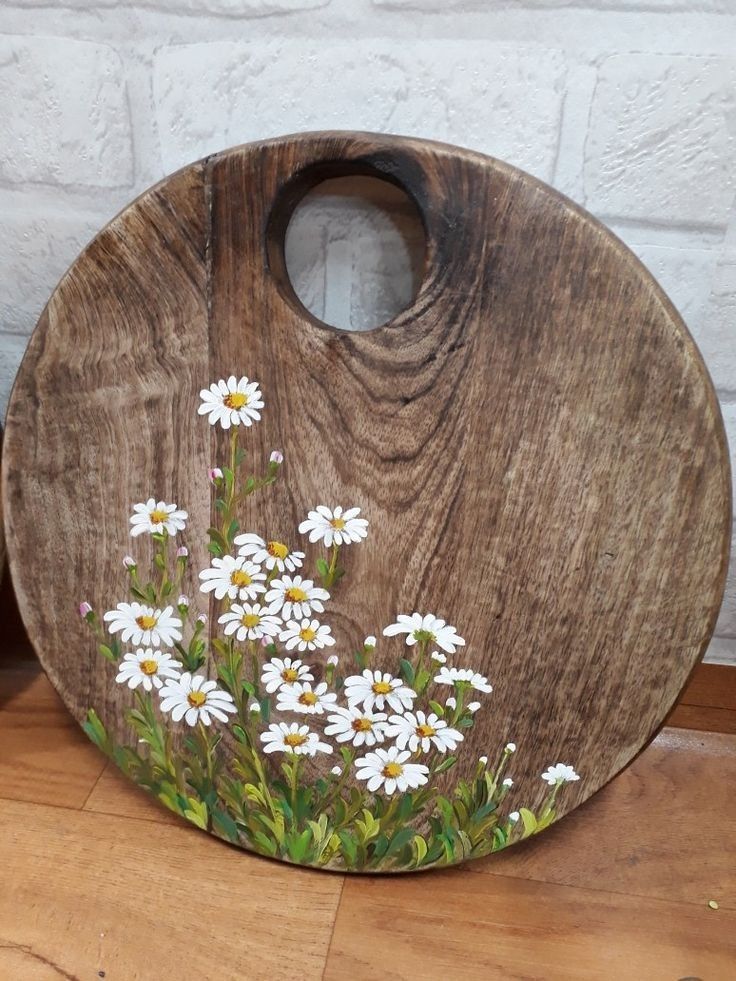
{"x": 354, "y": 252}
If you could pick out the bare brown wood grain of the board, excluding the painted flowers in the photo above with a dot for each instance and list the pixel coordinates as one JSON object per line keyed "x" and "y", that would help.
{"x": 535, "y": 441}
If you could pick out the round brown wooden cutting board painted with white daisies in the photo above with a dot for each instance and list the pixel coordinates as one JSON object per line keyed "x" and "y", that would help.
{"x": 541, "y": 470}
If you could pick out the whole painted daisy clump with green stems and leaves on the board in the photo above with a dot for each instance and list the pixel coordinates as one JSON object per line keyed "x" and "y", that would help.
{"x": 260, "y": 729}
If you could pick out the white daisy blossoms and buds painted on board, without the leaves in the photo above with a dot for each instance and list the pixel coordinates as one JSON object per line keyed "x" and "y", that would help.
{"x": 265, "y": 598}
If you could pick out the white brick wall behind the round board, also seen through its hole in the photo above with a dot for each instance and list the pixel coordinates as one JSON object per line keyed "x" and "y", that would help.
{"x": 629, "y": 106}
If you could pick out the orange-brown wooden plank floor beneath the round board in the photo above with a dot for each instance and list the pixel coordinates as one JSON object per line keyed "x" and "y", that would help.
{"x": 98, "y": 881}
